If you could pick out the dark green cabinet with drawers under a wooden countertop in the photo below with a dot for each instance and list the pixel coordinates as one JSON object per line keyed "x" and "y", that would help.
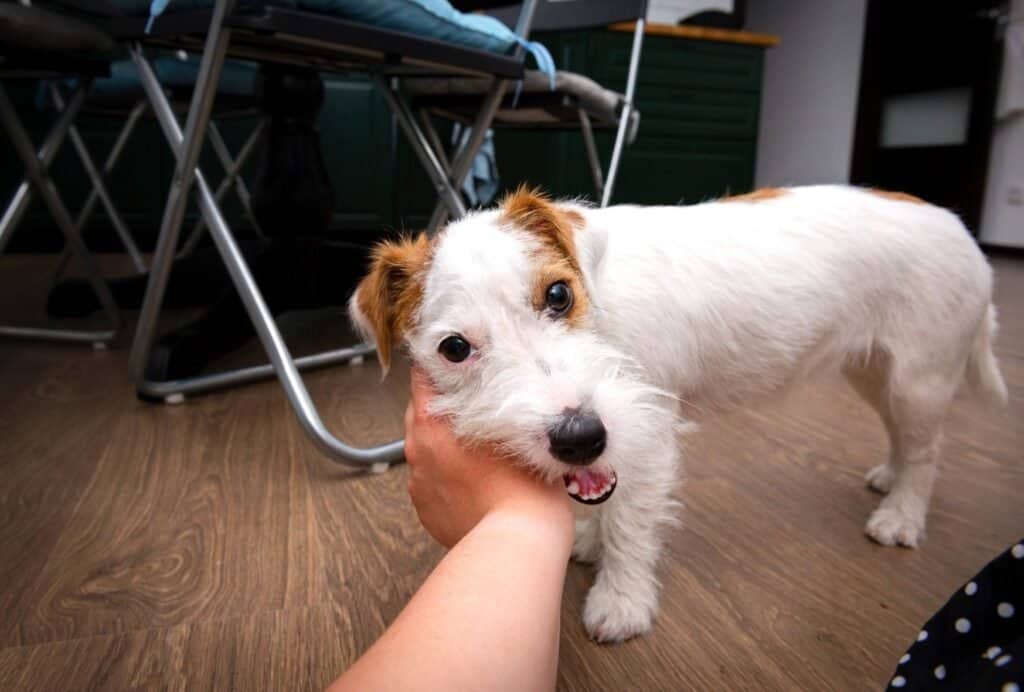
{"x": 699, "y": 104}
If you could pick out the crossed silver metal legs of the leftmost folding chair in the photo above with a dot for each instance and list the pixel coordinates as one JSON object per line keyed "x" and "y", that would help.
{"x": 37, "y": 169}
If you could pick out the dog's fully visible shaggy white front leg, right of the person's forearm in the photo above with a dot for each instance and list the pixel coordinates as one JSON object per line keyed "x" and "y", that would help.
{"x": 623, "y": 601}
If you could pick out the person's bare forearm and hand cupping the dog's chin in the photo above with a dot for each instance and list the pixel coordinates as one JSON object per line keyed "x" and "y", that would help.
{"x": 488, "y": 617}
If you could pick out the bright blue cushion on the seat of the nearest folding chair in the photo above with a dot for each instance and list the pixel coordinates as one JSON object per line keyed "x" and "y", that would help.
{"x": 433, "y": 19}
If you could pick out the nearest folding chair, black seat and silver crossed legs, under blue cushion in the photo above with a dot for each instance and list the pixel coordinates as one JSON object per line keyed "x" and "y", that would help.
{"x": 274, "y": 34}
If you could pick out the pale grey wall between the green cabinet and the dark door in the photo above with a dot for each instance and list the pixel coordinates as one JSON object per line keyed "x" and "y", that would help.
{"x": 809, "y": 108}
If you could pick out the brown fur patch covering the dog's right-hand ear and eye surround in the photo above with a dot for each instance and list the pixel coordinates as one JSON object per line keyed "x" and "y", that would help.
{"x": 553, "y": 227}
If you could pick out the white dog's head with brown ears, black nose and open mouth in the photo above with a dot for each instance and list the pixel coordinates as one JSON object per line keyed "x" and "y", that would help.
{"x": 499, "y": 311}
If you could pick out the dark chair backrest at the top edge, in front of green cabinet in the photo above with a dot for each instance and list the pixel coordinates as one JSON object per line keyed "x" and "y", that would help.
{"x": 563, "y": 15}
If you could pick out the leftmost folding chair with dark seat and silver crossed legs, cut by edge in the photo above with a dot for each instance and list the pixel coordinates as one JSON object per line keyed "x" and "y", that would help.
{"x": 34, "y": 45}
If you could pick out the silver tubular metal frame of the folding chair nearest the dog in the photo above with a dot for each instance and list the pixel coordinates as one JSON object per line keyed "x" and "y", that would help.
{"x": 187, "y": 145}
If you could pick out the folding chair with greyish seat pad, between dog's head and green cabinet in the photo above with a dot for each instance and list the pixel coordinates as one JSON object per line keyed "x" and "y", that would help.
{"x": 576, "y": 102}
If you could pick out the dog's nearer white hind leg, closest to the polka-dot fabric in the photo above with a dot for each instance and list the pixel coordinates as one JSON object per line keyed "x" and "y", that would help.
{"x": 916, "y": 402}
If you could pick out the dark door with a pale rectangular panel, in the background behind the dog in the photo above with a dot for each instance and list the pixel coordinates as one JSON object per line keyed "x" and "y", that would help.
{"x": 928, "y": 85}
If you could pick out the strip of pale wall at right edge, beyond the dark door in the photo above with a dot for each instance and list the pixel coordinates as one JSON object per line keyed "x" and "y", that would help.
{"x": 1002, "y": 221}
